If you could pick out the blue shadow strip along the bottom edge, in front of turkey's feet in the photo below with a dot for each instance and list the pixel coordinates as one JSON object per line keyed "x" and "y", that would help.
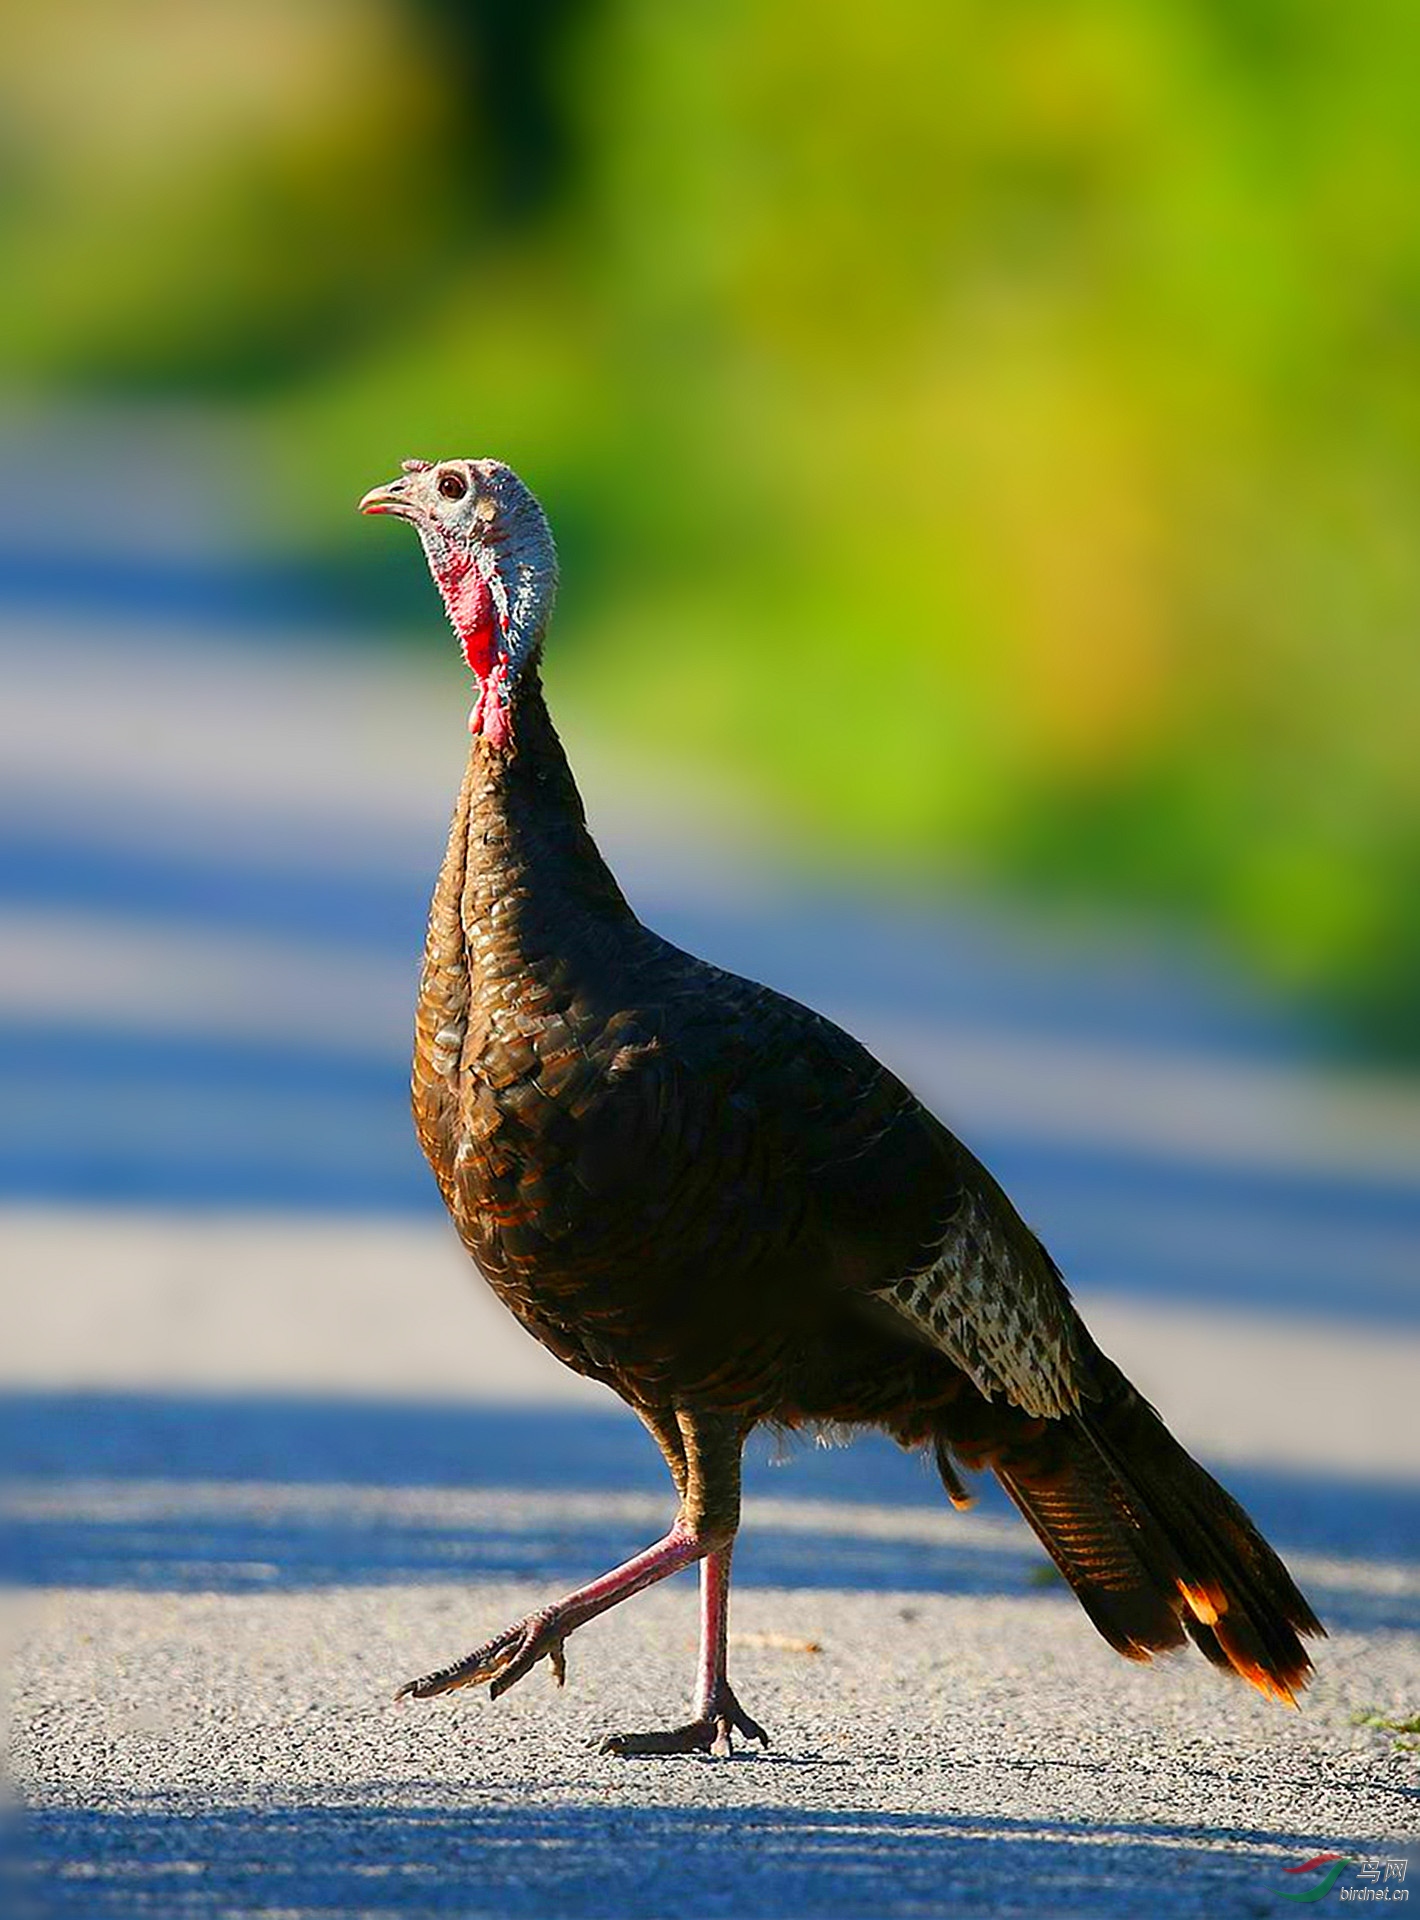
{"x": 642, "y": 1861}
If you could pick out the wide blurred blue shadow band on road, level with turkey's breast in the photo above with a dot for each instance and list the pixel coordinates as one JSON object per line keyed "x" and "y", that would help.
{"x": 199, "y": 1122}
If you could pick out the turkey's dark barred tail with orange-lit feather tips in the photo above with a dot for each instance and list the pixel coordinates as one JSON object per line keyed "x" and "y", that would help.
{"x": 1152, "y": 1547}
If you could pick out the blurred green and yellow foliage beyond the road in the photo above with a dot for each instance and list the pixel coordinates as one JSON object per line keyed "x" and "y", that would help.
{"x": 985, "y": 433}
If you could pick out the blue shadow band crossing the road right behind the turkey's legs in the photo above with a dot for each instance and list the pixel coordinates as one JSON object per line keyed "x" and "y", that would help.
{"x": 97, "y": 1466}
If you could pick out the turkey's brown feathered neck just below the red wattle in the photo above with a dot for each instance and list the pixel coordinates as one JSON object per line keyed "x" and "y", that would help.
{"x": 523, "y": 880}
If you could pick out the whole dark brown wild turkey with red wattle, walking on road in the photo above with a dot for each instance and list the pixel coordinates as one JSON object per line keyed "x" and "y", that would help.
{"x": 721, "y": 1205}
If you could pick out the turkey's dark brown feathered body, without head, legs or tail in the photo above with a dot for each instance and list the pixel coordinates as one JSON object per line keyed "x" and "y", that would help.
{"x": 684, "y": 1184}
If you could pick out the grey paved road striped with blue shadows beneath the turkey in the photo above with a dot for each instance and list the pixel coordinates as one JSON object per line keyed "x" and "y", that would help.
{"x": 270, "y": 1452}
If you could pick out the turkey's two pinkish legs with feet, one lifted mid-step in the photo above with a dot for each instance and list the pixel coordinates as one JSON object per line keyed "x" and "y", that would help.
{"x": 703, "y": 1456}
